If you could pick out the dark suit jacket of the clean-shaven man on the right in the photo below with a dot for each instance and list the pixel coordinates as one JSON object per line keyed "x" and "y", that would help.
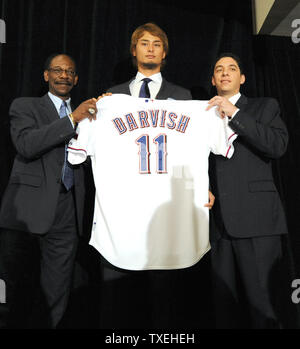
{"x": 247, "y": 202}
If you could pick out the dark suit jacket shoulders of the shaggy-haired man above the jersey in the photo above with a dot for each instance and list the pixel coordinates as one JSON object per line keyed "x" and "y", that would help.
{"x": 167, "y": 90}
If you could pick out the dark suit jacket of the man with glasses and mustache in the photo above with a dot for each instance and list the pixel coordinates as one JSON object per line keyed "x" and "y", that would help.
{"x": 39, "y": 136}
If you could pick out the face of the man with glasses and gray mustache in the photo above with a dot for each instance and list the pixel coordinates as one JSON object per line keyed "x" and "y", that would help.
{"x": 61, "y": 76}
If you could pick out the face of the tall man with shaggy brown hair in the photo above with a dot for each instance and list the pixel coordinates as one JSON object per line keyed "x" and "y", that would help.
{"x": 149, "y": 50}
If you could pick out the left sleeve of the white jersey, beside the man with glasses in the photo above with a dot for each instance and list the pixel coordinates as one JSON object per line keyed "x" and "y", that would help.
{"x": 81, "y": 146}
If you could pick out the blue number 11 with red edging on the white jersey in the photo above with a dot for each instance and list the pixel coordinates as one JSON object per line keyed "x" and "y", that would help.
{"x": 161, "y": 153}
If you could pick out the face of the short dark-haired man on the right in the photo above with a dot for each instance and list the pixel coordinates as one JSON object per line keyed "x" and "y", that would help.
{"x": 227, "y": 77}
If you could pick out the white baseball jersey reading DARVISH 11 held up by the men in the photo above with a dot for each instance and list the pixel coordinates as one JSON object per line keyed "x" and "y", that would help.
{"x": 150, "y": 167}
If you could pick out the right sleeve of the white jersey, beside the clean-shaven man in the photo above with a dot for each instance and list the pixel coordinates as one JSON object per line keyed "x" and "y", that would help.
{"x": 221, "y": 135}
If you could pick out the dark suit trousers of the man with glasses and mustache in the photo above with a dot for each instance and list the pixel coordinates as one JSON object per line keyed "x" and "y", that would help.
{"x": 37, "y": 270}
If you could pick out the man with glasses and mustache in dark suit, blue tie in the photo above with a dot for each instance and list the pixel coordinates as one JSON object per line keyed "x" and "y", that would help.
{"x": 42, "y": 208}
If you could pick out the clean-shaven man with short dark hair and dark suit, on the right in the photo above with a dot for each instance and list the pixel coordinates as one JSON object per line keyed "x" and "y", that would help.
{"x": 248, "y": 216}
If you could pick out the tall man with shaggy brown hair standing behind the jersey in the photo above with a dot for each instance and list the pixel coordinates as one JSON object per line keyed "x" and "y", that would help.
{"x": 147, "y": 299}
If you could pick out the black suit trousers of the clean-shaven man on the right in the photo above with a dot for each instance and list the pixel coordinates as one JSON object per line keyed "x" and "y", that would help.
{"x": 247, "y": 281}
